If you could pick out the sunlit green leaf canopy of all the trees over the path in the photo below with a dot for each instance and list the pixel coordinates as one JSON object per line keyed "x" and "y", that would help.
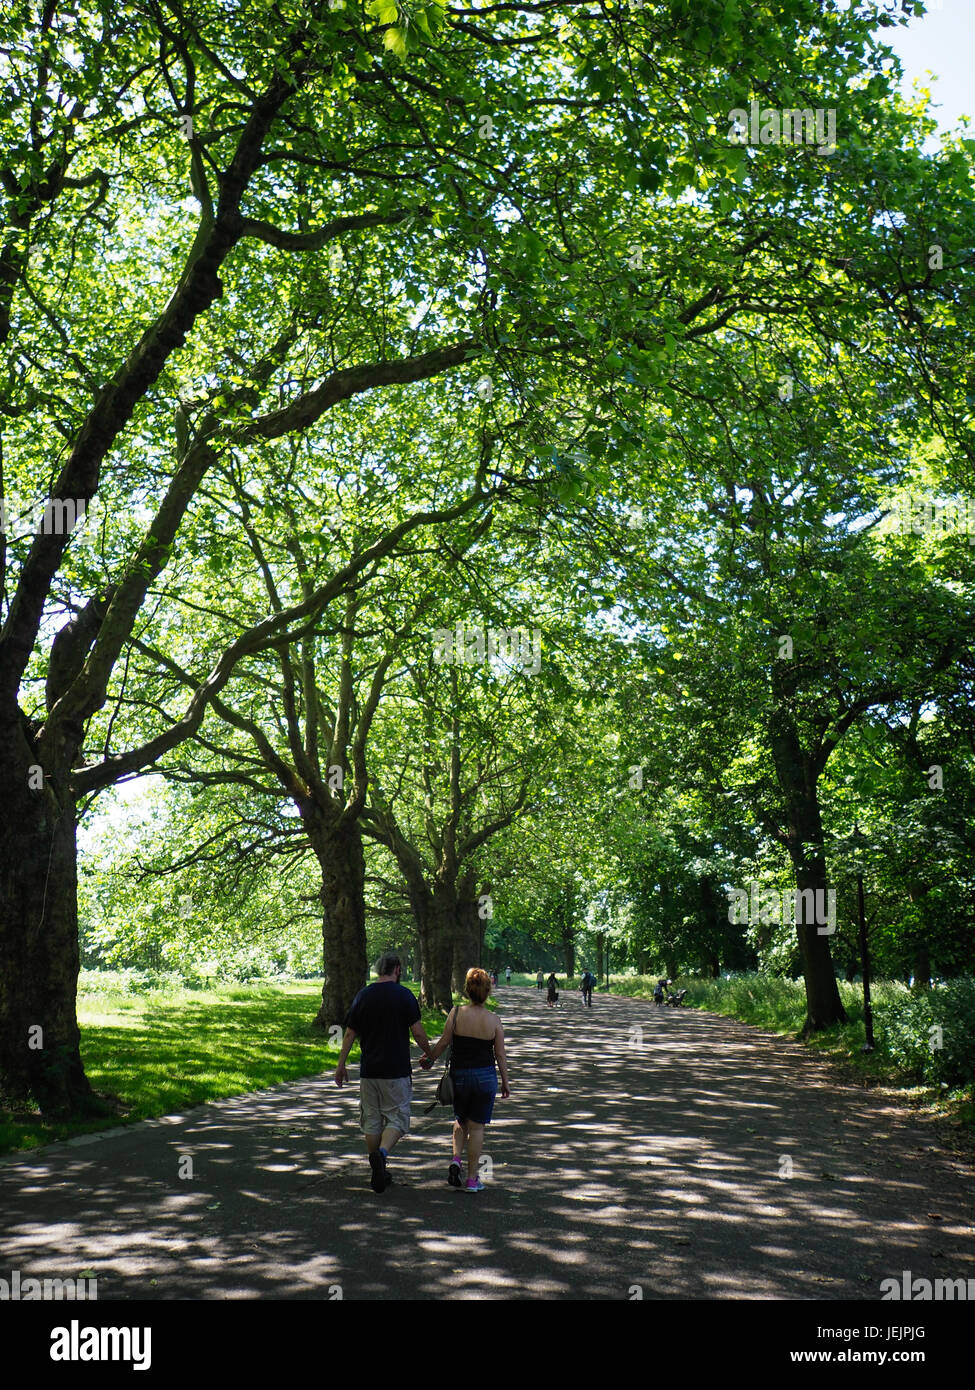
{"x": 551, "y": 206}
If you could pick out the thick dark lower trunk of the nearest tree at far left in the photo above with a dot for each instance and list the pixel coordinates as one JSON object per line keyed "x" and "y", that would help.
{"x": 40, "y": 1038}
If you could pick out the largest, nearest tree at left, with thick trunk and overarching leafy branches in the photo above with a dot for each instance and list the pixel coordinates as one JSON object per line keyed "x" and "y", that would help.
{"x": 300, "y": 130}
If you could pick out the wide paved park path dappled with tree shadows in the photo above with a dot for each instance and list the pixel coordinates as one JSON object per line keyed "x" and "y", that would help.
{"x": 642, "y": 1147}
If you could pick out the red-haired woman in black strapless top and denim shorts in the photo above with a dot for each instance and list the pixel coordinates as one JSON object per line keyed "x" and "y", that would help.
{"x": 478, "y": 1042}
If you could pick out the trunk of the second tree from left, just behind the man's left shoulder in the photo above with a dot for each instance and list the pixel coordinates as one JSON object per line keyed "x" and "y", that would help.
{"x": 340, "y": 854}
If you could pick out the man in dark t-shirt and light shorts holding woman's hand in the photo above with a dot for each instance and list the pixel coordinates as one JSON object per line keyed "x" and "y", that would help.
{"x": 380, "y": 1018}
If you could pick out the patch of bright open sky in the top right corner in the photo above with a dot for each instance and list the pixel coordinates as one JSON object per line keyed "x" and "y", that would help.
{"x": 941, "y": 42}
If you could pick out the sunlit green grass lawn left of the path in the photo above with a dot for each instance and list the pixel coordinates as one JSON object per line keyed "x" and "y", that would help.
{"x": 163, "y": 1052}
